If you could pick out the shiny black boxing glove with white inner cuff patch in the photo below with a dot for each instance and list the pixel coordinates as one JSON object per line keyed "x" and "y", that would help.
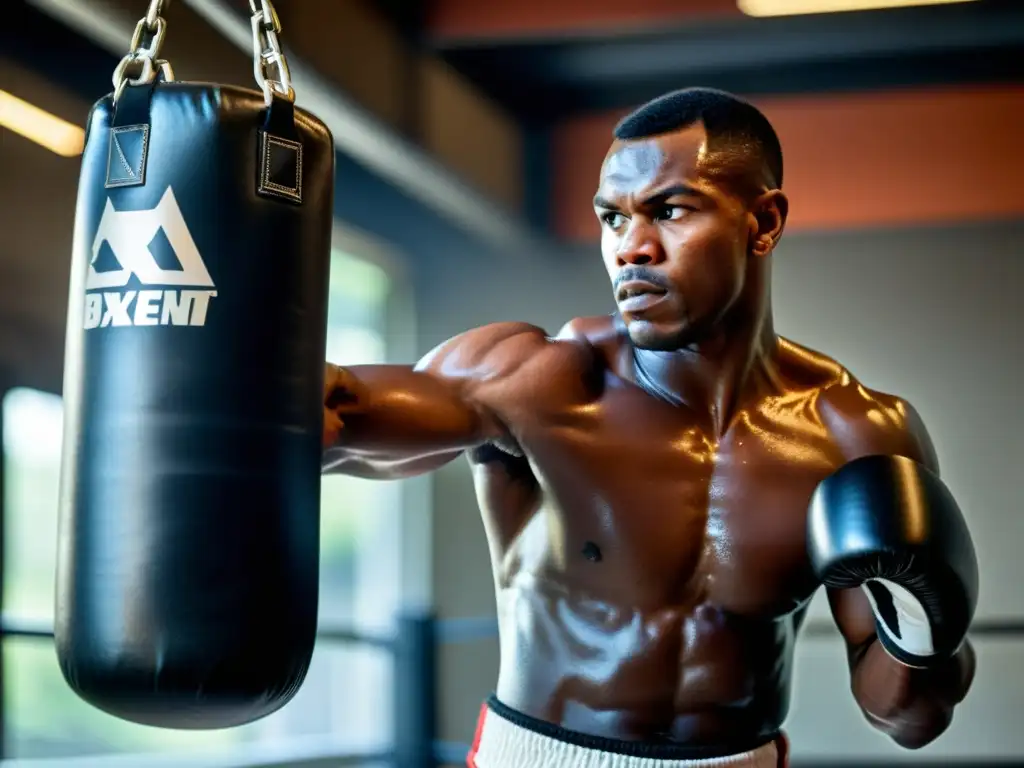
{"x": 890, "y": 526}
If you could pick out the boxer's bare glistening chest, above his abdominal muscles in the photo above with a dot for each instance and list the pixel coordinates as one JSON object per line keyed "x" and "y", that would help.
{"x": 639, "y": 507}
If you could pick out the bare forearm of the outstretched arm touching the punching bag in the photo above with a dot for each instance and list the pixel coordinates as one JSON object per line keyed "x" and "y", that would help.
{"x": 394, "y": 416}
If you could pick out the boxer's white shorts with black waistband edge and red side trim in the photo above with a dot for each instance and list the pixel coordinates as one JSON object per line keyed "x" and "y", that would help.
{"x": 506, "y": 739}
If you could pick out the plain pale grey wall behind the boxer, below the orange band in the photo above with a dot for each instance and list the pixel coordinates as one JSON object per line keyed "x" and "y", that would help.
{"x": 932, "y": 316}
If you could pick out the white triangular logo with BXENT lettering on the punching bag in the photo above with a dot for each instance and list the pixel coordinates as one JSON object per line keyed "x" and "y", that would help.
{"x": 127, "y": 244}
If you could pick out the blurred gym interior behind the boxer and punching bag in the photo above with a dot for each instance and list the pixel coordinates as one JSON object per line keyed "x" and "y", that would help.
{"x": 470, "y": 137}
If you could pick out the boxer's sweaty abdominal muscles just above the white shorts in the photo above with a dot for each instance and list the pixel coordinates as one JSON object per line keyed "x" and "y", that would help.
{"x": 692, "y": 675}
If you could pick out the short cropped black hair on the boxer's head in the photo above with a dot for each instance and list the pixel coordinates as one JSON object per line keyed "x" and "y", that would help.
{"x": 733, "y": 125}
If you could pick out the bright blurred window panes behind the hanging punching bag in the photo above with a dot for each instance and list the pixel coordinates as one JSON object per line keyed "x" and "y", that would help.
{"x": 347, "y": 696}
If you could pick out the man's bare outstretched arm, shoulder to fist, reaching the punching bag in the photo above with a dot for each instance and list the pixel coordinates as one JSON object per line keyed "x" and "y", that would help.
{"x": 398, "y": 421}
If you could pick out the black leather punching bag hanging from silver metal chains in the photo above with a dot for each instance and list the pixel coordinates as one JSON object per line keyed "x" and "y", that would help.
{"x": 190, "y": 510}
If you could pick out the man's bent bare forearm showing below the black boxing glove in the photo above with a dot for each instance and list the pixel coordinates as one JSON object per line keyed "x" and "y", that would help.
{"x": 913, "y": 706}
